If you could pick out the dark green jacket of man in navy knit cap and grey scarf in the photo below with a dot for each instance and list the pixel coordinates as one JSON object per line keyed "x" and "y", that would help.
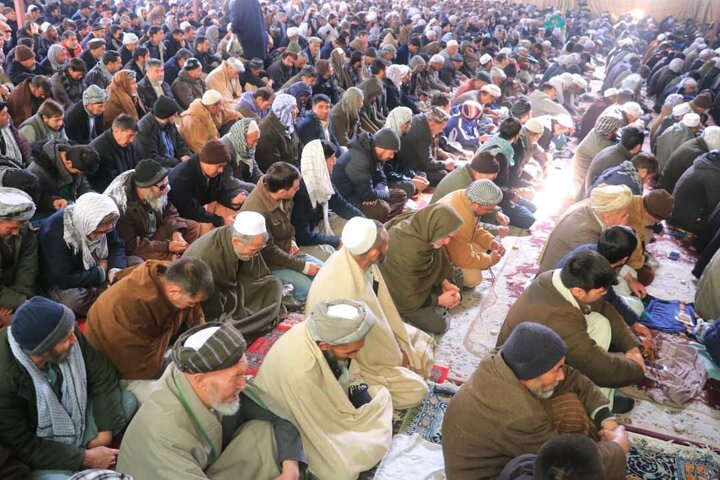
{"x": 18, "y": 410}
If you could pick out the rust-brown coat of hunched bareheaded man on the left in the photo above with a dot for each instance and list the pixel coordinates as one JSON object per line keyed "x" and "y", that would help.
{"x": 134, "y": 335}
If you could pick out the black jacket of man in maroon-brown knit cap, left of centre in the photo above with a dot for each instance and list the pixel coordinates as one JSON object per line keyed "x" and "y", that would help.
{"x": 191, "y": 190}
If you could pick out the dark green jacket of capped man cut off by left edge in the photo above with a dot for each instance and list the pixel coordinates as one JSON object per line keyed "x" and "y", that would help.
{"x": 18, "y": 280}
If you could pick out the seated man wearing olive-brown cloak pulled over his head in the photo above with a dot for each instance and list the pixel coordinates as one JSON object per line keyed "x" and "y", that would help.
{"x": 419, "y": 274}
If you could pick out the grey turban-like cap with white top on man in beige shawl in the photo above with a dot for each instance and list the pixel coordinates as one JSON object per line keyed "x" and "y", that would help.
{"x": 340, "y": 322}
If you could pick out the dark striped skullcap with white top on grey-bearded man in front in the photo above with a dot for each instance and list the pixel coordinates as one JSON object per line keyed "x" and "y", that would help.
{"x": 208, "y": 348}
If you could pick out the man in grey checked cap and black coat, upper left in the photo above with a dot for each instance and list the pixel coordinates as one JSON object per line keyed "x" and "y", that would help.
{"x": 84, "y": 120}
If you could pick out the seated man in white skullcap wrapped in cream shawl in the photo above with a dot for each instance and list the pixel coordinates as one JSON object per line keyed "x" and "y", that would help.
{"x": 396, "y": 355}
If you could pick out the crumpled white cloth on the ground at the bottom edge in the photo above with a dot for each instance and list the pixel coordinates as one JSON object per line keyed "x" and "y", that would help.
{"x": 412, "y": 458}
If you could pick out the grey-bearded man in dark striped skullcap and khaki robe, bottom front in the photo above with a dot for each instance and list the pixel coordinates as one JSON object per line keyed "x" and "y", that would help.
{"x": 198, "y": 423}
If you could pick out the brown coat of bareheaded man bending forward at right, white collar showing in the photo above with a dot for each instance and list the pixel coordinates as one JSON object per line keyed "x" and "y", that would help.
{"x": 542, "y": 303}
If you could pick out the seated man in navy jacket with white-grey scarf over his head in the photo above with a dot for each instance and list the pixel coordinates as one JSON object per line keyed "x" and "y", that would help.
{"x": 80, "y": 251}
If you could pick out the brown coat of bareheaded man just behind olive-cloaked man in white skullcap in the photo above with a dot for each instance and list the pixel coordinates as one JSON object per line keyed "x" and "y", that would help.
{"x": 280, "y": 230}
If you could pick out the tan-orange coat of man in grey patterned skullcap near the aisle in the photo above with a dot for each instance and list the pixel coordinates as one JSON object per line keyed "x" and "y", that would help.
{"x": 469, "y": 245}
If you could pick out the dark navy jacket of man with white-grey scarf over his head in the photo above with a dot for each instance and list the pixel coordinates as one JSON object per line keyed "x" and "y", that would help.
{"x": 62, "y": 268}
